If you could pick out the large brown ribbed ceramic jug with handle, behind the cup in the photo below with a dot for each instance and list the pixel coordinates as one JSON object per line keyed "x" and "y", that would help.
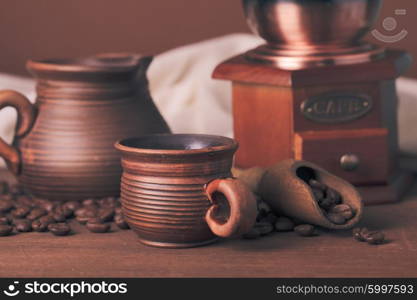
{"x": 63, "y": 146}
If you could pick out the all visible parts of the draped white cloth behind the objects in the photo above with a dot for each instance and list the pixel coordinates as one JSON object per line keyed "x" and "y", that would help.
{"x": 191, "y": 101}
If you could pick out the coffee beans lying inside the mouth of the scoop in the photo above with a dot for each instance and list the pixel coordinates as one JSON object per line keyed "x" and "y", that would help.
{"x": 331, "y": 203}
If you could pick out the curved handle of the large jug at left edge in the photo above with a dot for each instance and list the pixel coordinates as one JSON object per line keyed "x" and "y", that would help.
{"x": 25, "y": 118}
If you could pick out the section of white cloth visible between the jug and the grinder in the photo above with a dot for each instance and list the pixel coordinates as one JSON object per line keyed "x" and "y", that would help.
{"x": 182, "y": 87}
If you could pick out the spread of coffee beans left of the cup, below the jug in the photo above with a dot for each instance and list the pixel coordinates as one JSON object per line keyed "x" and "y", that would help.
{"x": 19, "y": 212}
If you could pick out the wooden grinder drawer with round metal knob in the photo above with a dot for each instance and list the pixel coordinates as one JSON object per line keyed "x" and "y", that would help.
{"x": 359, "y": 156}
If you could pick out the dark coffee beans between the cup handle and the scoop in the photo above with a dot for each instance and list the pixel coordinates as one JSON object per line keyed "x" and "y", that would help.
{"x": 268, "y": 222}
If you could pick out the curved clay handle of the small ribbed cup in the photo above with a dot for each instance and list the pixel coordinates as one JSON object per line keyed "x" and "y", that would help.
{"x": 242, "y": 203}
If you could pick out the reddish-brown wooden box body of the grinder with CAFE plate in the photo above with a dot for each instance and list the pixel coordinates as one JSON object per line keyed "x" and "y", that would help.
{"x": 341, "y": 117}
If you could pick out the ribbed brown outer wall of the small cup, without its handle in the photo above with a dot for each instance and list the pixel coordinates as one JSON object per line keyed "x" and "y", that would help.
{"x": 163, "y": 198}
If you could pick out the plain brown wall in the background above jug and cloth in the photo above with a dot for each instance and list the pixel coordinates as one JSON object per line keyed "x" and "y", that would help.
{"x": 59, "y": 28}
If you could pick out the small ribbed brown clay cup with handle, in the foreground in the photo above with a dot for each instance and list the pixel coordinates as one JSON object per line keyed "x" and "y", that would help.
{"x": 177, "y": 190}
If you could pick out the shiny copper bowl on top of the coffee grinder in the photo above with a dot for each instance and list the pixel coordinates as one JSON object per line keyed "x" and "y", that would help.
{"x": 297, "y": 24}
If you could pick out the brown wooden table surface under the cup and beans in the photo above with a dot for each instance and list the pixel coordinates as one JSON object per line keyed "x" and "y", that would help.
{"x": 119, "y": 254}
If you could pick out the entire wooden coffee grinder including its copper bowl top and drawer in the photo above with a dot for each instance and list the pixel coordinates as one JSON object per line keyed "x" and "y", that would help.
{"x": 316, "y": 92}
